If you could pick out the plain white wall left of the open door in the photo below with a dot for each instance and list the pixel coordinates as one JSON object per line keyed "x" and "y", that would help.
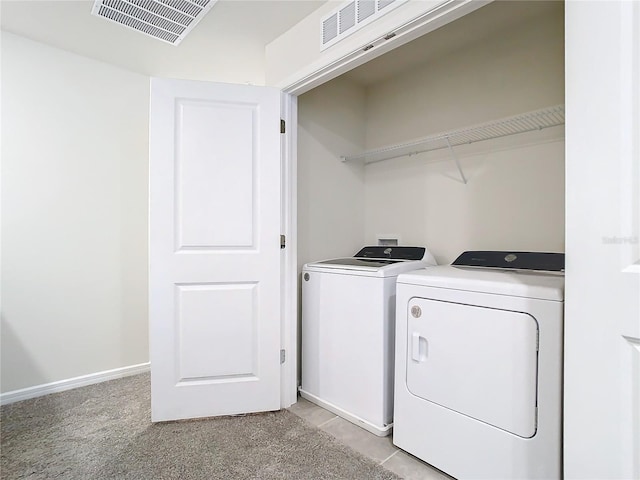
{"x": 74, "y": 215}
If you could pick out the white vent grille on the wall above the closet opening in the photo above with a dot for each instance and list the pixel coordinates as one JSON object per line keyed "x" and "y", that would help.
{"x": 350, "y": 17}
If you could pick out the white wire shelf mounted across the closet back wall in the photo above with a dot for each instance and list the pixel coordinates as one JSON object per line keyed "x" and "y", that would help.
{"x": 525, "y": 122}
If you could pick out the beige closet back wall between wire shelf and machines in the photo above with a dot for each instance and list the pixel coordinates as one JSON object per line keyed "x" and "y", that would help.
{"x": 514, "y": 200}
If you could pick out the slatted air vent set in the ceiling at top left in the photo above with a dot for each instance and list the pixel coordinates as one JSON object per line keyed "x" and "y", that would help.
{"x": 166, "y": 20}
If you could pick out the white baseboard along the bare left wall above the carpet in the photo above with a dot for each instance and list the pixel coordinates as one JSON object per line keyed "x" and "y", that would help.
{"x": 68, "y": 384}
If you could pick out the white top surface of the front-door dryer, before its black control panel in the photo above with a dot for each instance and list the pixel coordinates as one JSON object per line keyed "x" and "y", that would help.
{"x": 515, "y": 283}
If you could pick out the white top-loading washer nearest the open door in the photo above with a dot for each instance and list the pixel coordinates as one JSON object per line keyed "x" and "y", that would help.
{"x": 348, "y": 311}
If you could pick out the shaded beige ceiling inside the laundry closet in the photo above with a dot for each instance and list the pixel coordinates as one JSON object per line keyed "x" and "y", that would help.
{"x": 492, "y": 19}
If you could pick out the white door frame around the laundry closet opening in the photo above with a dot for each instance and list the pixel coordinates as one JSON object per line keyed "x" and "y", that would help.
{"x": 295, "y": 86}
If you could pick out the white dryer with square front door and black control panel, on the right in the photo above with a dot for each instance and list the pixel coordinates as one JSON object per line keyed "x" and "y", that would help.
{"x": 478, "y": 391}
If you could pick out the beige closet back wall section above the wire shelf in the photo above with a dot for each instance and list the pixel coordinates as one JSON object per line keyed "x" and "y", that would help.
{"x": 510, "y": 69}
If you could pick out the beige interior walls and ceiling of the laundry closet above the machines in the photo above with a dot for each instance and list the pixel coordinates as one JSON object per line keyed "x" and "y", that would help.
{"x": 502, "y": 60}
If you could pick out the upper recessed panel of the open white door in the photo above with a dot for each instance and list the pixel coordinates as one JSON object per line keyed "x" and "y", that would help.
{"x": 213, "y": 211}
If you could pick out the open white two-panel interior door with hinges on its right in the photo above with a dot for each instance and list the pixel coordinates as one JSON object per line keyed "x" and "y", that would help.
{"x": 214, "y": 282}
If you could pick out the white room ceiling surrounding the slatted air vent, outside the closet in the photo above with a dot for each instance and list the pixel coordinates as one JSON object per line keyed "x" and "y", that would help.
{"x": 234, "y": 32}
